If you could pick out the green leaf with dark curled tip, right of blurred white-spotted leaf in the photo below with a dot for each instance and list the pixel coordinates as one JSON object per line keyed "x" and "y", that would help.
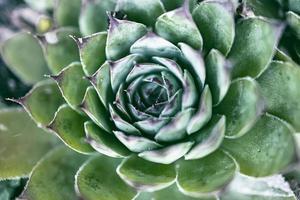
{"x": 92, "y": 51}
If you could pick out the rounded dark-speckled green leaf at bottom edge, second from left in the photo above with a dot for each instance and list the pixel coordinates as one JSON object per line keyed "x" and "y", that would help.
{"x": 97, "y": 179}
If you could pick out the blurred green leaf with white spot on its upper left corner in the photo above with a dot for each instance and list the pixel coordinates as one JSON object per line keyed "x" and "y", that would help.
{"x": 59, "y": 48}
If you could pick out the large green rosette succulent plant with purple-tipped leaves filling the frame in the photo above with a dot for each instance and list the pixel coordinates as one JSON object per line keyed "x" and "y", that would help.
{"x": 154, "y": 99}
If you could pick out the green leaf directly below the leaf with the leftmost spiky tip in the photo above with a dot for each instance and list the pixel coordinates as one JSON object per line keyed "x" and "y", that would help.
{"x": 69, "y": 127}
